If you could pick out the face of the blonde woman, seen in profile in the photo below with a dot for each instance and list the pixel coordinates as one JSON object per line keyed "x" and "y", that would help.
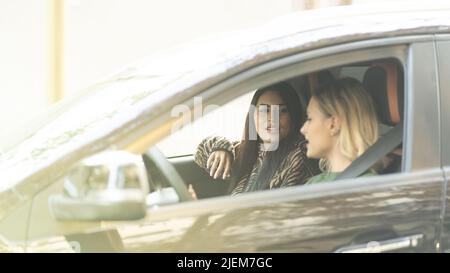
{"x": 317, "y": 131}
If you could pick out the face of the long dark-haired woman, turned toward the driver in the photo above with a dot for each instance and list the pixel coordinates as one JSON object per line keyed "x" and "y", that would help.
{"x": 271, "y": 117}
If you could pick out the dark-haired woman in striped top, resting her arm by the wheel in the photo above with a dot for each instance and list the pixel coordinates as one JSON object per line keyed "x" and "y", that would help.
{"x": 272, "y": 153}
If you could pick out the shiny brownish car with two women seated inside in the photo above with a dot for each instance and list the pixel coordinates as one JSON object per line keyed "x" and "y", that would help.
{"x": 400, "y": 53}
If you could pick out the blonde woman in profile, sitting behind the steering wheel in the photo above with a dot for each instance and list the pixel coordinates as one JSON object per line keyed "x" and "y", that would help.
{"x": 341, "y": 124}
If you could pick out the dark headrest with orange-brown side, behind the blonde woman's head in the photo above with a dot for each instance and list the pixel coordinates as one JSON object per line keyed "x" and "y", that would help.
{"x": 384, "y": 82}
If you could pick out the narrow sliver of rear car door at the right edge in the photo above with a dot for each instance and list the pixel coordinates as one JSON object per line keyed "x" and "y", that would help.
{"x": 443, "y": 58}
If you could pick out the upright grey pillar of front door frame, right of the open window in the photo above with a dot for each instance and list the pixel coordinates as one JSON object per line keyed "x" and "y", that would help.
{"x": 422, "y": 126}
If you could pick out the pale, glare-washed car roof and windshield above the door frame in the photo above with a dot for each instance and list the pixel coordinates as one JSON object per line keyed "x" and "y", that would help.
{"x": 104, "y": 113}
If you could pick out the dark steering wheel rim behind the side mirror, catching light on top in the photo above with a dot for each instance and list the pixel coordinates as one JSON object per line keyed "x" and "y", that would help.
{"x": 169, "y": 172}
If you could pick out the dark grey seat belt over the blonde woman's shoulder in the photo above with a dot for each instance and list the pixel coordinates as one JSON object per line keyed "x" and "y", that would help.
{"x": 374, "y": 153}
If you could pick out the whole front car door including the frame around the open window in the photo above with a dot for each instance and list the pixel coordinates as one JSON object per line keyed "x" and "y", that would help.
{"x": 395, "y": 212}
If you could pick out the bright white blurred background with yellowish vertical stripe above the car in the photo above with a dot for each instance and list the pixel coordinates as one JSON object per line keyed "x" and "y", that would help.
{"x": 51, "y": 49}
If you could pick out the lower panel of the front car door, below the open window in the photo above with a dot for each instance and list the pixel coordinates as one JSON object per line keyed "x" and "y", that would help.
{"x": 295, "y": 219}
